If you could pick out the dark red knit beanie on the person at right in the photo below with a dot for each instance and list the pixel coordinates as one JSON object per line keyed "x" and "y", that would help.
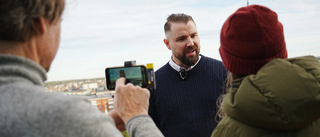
{"x": 250, "y": 38}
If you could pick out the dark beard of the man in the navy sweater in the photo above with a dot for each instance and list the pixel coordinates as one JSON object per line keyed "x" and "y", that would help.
{"x": 191, "y": 60}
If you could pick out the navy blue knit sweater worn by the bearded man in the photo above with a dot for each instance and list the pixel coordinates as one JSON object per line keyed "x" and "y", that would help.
{"x": 187, "y": 108}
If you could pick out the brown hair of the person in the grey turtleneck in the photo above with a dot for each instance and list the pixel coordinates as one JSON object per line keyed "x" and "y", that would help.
{"x": 18, "y": 18}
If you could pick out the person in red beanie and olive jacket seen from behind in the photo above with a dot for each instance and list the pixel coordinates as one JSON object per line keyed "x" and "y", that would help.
{"x": 267, "y": 94}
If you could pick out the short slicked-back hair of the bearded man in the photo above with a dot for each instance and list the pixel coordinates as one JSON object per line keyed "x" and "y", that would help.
{"x": 177, "y": 18}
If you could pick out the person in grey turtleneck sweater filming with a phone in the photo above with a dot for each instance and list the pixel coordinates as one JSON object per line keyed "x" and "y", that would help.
{"x": 29, "y": 40}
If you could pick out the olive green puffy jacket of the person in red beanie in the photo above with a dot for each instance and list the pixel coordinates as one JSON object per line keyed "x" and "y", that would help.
{"x": 281, "y": 100}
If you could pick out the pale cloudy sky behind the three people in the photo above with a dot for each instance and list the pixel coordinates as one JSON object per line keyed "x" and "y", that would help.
{"x": 97, "y": 34}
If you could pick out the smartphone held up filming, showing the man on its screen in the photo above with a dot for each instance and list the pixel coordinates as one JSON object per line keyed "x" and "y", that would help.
{"x": 136, "y": 75}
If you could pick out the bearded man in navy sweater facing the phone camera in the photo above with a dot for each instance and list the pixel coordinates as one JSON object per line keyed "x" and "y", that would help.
{"x": 188, "y": 86}
